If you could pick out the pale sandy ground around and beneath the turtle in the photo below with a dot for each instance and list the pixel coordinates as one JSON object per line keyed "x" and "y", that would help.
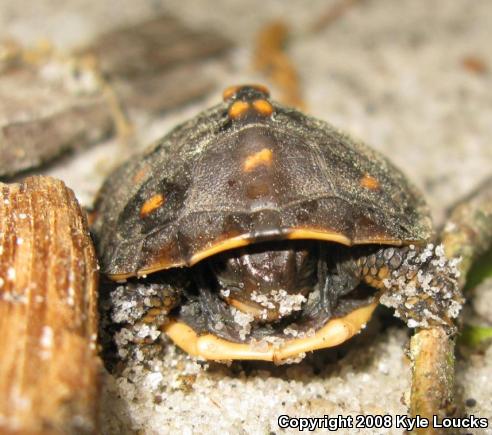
{"x": 411, "y": 78}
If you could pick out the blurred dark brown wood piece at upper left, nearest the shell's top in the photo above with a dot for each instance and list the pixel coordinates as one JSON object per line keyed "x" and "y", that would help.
{"x": 158, "y": 64}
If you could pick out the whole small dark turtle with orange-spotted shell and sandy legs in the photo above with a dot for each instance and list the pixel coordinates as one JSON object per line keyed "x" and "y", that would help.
{"x": 263, "y": 233}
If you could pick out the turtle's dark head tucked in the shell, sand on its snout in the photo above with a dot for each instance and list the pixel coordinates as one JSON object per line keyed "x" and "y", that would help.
{"x": 269, "y": 280}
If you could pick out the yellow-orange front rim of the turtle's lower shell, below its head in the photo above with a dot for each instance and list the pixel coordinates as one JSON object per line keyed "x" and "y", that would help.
{"x": 210, "y": 347}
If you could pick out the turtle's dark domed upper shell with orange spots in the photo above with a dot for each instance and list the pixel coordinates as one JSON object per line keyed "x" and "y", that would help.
{"x": 244, "y": 171}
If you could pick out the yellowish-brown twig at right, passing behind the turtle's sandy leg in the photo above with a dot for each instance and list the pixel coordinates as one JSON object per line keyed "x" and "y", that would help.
{"x": 467, "y": 234}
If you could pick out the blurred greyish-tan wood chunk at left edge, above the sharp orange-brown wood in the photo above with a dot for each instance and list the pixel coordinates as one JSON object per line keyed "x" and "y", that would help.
{"x": 40, "y": 119}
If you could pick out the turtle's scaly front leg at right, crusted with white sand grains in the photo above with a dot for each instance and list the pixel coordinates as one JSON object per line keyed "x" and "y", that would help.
{"x": 419, "y": 282}
